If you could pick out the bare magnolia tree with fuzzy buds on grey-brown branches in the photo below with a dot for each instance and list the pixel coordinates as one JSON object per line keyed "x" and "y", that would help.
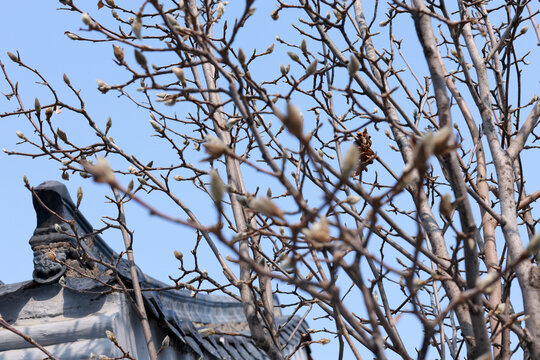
{"x": 391, "y": 142}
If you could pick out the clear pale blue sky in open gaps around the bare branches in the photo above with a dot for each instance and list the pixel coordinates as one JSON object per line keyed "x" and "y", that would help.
{"x": 36, "y": 29}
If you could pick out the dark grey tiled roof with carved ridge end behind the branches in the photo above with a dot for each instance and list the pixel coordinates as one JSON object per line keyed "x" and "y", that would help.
{"x": 205, "y": 324}
